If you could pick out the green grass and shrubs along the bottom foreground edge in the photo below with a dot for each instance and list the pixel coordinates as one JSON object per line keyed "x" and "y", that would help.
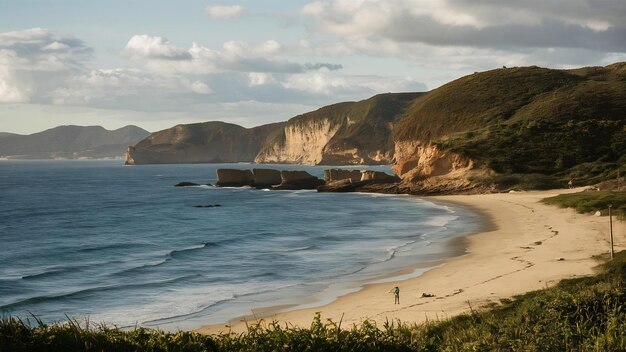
{"x": 577, "y": 314}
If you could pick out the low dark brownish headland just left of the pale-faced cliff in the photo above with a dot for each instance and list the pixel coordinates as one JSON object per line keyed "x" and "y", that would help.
{"x": 209, "y": 142}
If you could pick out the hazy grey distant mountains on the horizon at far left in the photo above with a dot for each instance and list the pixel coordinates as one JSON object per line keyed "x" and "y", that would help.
{"x": 71, "y": 142}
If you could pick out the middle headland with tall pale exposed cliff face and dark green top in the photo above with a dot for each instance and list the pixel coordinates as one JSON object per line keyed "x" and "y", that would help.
{"x": 340, "y": 134}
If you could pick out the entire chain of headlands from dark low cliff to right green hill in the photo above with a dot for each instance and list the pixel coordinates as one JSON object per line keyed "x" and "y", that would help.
{"x": 492, "y": 131}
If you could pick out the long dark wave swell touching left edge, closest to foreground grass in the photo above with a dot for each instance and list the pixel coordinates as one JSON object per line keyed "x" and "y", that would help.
{"x": 98, "y": 289}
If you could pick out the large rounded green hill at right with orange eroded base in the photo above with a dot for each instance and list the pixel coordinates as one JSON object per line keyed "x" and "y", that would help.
{"x": 525, "y": 127}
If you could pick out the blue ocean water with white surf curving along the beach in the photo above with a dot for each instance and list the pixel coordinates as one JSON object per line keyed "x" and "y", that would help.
{"x": 119, "y": 244}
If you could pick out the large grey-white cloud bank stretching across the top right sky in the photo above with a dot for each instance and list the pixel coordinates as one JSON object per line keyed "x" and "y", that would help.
{"x": 583, "y": 24}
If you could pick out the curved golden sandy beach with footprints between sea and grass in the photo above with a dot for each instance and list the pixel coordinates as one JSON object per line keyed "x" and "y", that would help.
{"x": 527, "y": 246}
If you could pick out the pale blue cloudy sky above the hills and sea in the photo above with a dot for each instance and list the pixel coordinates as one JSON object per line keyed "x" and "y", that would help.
{"x": 156, "y": 64}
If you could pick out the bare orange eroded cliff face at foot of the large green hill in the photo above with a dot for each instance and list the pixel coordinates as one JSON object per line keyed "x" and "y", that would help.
{"x": 424, "y": 168}
